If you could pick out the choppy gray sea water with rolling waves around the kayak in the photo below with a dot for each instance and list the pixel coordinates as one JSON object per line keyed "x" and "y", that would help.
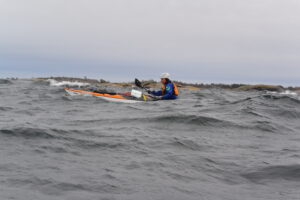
{"x": 209, "y": 144}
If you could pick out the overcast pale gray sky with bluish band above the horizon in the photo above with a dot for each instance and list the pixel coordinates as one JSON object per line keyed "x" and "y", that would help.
{"x": 229, "y": 41}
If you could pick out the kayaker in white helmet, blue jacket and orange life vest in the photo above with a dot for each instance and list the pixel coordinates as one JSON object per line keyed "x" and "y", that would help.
{"x": 168, "y": 90}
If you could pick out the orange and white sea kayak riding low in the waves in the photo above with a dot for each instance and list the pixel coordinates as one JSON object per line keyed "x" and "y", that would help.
{"x": 129, "y": 97}
